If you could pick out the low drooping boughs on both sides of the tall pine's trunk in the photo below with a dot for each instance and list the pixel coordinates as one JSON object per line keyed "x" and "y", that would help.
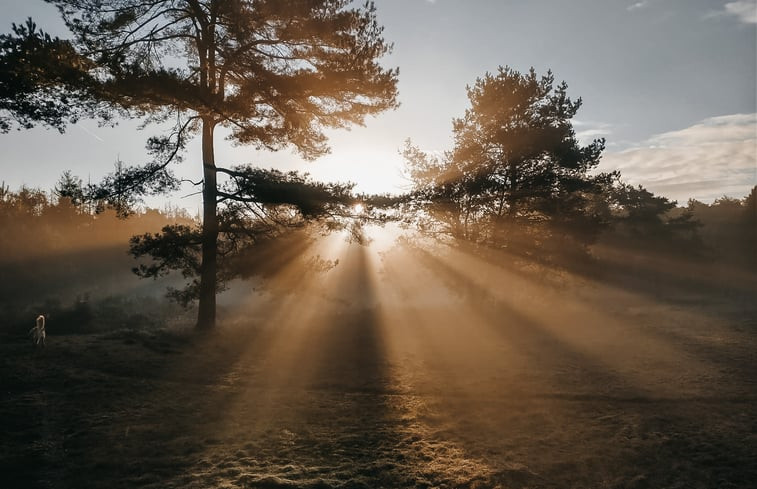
{"x": 263, "y": 207}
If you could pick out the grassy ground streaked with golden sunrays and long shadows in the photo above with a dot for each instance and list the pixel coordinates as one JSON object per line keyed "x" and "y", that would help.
{"x": 614, "y": 390}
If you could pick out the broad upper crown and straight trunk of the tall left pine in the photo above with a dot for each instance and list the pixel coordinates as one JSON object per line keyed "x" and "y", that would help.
{"x": 273, "y": 72}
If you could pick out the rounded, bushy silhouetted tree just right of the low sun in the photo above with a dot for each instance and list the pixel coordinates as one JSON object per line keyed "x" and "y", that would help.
{"x": 517, "y": 177}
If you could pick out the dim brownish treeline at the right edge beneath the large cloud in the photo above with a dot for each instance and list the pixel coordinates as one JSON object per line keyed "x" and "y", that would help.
{"x": 654, "y": 247}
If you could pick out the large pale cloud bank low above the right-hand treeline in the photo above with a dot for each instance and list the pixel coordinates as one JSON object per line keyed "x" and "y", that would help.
{"x": 715, "y": 157}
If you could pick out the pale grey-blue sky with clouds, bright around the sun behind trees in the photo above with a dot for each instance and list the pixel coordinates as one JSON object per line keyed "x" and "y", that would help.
{"x": 670, "y": 84}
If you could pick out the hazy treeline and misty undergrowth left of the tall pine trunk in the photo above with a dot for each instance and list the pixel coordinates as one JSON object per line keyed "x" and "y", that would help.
{"x": 72, "y": 263}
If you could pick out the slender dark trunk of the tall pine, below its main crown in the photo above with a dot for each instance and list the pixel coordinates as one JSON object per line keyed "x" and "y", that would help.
{"x": 206, "y": 315}
